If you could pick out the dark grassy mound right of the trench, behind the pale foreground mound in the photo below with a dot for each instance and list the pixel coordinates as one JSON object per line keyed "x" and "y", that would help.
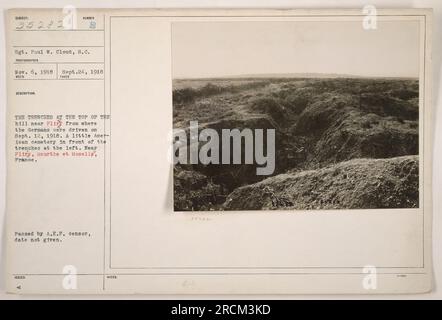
{"x": 341, "y": 128}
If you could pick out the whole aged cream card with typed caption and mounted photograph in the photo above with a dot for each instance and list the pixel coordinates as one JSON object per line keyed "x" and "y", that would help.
{"x": 326, "y": 190}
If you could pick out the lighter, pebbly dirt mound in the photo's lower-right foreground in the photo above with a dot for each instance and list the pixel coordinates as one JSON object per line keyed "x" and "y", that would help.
{"x": 354, "y": 184}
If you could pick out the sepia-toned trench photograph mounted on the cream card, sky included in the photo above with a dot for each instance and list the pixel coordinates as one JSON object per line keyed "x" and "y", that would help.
{"x": 295, "y": 115}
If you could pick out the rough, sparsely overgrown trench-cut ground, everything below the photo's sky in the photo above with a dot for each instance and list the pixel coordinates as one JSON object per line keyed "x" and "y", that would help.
{"x": 340, "y": 143}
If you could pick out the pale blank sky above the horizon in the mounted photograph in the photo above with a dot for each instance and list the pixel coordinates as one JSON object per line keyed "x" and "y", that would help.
{"x": 216, "y": 49}
